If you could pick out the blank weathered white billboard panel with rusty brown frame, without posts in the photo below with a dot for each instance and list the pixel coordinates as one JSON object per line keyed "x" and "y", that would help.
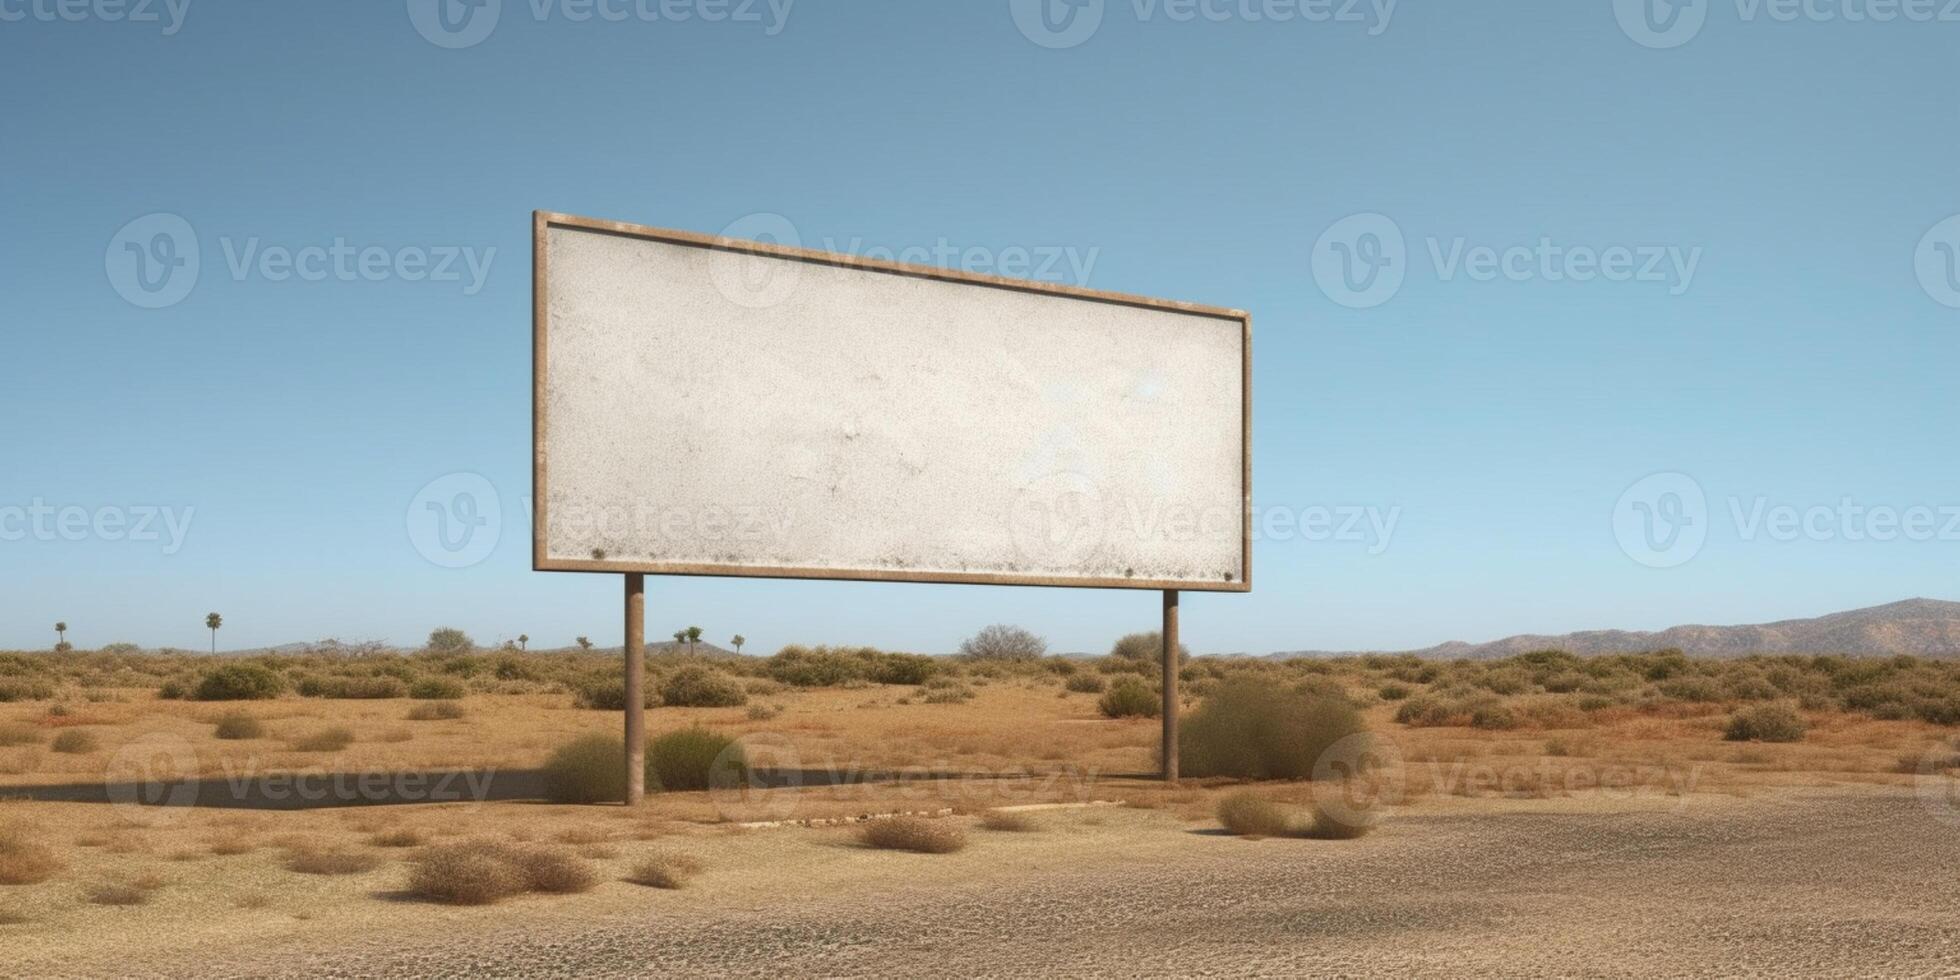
{"x": 709, "y": 407}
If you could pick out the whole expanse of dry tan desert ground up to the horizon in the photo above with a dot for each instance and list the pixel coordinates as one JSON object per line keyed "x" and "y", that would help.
{"x": 1512, "y": 834}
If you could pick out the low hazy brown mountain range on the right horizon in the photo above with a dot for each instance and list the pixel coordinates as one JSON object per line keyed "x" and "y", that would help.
{"x": 1924, "y": 628}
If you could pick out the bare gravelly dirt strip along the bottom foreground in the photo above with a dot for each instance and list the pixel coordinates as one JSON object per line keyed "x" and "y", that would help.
{"x": 1816, "y": 883}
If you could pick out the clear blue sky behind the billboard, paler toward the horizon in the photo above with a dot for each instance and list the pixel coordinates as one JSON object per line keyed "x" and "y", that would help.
{"x": 1804, "y": 364}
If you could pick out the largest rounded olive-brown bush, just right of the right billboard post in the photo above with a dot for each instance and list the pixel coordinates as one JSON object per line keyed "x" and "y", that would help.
{"x": 1257, "y": 732}
